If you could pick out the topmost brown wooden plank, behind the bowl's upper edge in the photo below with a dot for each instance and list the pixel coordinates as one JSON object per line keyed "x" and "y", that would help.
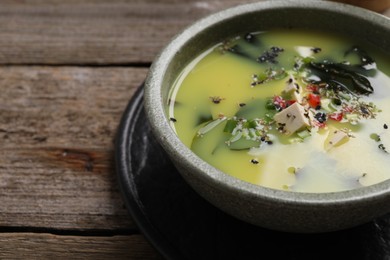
{"x": 94, "y": 32}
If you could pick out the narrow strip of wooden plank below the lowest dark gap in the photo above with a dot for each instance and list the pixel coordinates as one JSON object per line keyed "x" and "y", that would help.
{"x": 47, "y": 246}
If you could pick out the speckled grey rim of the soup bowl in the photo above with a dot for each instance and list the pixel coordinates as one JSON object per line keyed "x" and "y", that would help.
{"x": 211, "y": 175}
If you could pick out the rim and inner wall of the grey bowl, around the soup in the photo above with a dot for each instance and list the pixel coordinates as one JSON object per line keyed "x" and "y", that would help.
{"x": 262, "y": 16}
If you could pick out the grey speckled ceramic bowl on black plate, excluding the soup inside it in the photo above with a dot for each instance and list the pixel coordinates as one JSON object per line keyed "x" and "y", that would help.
{"x": 265, "y": 207}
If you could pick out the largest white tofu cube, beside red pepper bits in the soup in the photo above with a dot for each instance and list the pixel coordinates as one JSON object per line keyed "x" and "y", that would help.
{"x": 293, "y": 118}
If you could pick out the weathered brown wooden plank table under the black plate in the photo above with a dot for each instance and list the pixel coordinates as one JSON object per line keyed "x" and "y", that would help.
{"x": 67, "y": 72}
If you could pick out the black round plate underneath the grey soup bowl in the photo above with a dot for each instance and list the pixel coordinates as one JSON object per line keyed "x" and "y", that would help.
{"x": 182, "y": 225}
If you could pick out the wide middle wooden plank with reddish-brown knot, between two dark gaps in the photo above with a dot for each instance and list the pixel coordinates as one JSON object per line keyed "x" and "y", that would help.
{"x": 57, "y": 127}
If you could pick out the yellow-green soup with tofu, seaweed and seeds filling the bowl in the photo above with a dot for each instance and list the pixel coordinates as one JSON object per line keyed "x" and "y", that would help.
{"x": 288, "y": 109}
